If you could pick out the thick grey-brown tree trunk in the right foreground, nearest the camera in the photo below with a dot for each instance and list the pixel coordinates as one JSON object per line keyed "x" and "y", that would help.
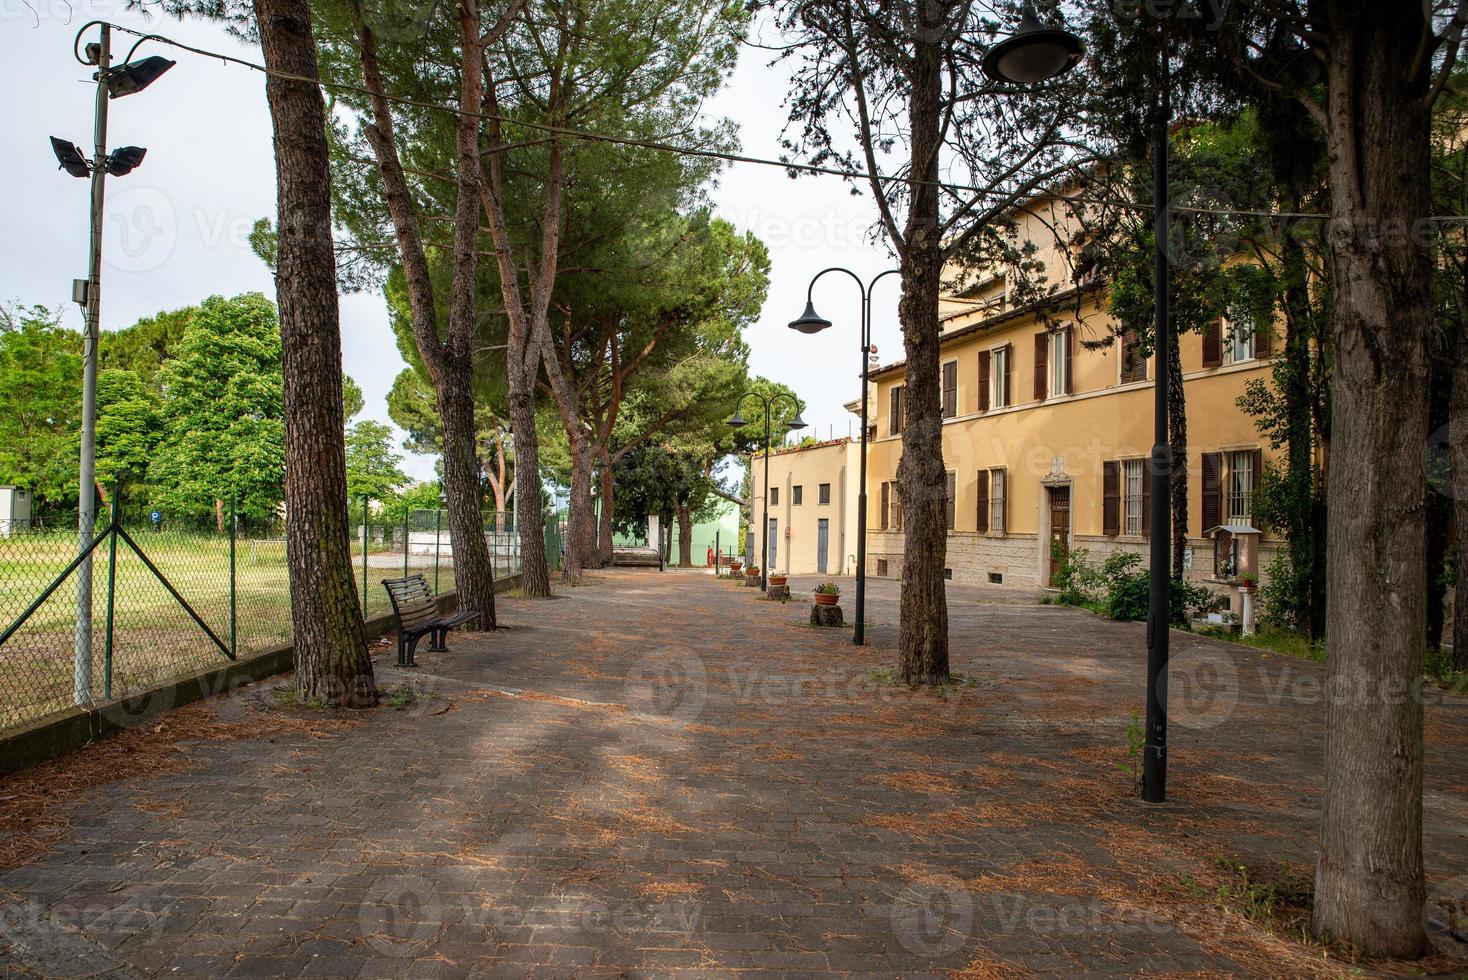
{"x": 1369, "y": 880}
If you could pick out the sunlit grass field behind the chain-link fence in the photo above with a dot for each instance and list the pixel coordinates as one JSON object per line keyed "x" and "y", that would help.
{"x": 153, "y": 636}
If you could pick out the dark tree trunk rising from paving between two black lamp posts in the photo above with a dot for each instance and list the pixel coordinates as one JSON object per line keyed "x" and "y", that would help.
{"x": 923, "y": 645}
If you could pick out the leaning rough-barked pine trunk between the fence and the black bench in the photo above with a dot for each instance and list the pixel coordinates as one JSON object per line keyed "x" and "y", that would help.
{"x": 331, "y": 652}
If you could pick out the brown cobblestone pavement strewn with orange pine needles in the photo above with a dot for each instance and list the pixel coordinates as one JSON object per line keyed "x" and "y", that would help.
{"x": 664, "y": 775}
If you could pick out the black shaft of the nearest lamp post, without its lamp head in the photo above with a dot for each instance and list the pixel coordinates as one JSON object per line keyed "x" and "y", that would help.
{"x": 1159, "y": 618}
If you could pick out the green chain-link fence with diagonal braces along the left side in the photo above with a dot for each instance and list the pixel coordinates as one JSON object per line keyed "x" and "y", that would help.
{"x": 174, "y": 596}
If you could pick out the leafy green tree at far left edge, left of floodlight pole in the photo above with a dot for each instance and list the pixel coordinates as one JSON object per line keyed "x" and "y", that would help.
{"x": 40, "y": 404}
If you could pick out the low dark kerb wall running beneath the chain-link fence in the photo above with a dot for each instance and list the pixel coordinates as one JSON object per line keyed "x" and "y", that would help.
{"x": 74, "y": 728}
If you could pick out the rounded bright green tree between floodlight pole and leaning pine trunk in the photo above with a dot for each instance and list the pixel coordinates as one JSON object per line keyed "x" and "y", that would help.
{"x": 224, "y": 435}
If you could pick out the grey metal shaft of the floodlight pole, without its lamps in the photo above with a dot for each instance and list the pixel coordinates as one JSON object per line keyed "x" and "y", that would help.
{"x": 87, "y": 500}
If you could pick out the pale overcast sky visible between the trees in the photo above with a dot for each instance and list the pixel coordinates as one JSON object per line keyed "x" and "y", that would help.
{"x": 177, "y": 228}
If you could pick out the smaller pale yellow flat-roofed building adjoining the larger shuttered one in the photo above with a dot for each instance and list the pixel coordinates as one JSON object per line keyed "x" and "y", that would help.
{"x": 813, "y": 508}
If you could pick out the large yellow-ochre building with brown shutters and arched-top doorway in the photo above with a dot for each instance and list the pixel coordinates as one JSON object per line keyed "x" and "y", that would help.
{"x": 1046, "y": 441}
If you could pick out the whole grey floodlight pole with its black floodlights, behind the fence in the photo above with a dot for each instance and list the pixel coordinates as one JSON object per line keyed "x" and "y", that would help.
{"x": 112, "y": 83}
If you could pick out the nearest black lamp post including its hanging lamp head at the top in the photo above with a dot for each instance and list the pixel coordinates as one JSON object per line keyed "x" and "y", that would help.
{"x": 1022, "y": 59}
